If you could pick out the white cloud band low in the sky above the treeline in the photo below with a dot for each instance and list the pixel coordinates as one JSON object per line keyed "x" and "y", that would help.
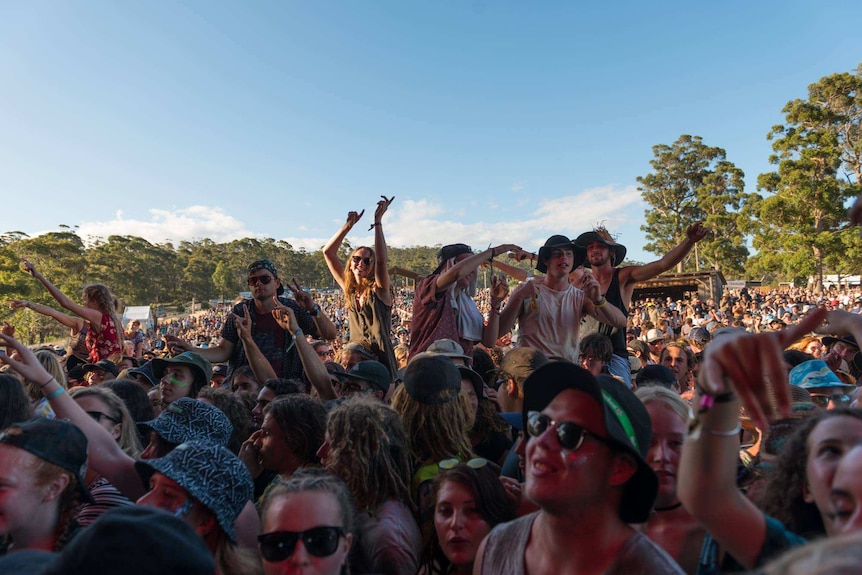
{"x": 412, "y": 222}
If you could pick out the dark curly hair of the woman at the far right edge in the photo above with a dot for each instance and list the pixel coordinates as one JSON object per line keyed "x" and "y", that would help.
{"x": 784, "y": 496}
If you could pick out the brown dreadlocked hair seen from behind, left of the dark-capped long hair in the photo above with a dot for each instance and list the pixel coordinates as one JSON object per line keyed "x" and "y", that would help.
{"x": 368, "y": 451}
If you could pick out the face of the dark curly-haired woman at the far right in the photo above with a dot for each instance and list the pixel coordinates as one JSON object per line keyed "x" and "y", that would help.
{"x": 827, "y": 444}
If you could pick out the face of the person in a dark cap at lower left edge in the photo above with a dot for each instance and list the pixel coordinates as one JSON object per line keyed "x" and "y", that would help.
{"x": 21, "y": 500}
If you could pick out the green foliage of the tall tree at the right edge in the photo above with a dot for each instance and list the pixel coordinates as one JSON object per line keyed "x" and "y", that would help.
{"x": 799, "y": 224}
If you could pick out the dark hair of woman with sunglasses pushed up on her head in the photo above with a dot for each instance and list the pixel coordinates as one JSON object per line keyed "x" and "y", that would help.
{"x": 492, "y": 503}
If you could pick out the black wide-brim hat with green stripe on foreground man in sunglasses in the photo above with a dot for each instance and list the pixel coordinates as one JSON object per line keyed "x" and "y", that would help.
{"x": 627, "y": 425}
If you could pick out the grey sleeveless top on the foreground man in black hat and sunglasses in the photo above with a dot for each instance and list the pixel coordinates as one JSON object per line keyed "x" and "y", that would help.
{"x": 507, "y": 543}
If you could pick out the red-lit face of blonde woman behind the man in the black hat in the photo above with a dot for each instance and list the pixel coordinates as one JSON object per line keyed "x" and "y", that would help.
{"x": 668, "y": 436}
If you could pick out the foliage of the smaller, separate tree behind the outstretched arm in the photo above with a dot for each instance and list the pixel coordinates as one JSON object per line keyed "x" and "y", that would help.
{"x": 693, "y": 182}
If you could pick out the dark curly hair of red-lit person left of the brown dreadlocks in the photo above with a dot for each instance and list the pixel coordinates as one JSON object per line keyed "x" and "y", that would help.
{"x": 302, "y": 420}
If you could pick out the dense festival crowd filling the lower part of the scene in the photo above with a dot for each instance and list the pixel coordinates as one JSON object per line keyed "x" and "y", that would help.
{"x": 558, "y": 427}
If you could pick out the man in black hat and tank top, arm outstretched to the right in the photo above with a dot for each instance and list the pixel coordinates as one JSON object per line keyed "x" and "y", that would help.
{"x": 618, "y": 284}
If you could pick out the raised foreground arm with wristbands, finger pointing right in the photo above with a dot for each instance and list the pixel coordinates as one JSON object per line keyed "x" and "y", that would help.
{"x": 737, "y": 369}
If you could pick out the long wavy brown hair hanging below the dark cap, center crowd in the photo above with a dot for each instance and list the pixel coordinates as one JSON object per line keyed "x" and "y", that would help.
{"x": 435, "y": 432}
